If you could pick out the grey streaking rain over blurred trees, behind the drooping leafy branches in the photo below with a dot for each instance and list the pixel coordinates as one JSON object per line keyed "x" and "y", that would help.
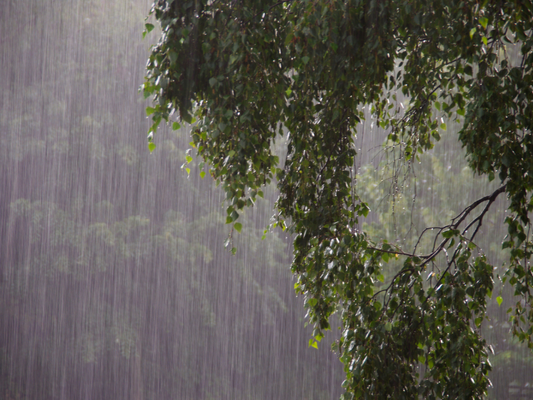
{"x": 114, "y": 279}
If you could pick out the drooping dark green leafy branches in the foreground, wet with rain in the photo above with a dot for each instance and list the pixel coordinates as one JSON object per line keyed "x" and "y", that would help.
{"x": 248, "y": 72}
